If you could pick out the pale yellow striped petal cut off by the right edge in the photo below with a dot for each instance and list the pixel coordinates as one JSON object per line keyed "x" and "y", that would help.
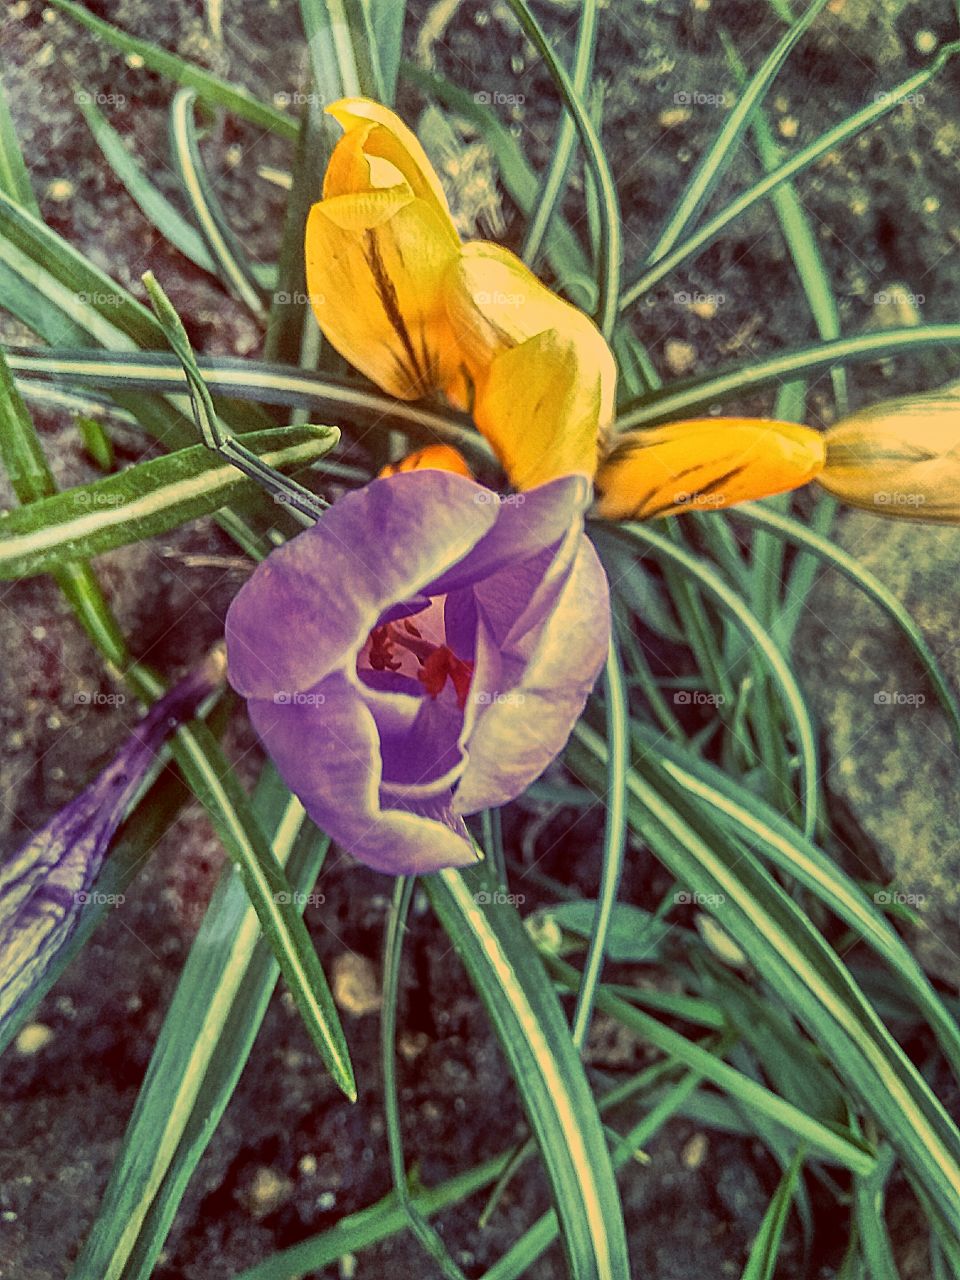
{"x": 899, "y": 459}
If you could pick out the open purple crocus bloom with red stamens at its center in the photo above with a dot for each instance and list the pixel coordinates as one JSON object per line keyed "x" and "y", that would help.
{"x": 419, "y": 655}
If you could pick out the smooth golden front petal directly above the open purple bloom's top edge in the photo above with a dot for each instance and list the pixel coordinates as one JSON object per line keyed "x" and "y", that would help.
{"x": 541, "y": 410}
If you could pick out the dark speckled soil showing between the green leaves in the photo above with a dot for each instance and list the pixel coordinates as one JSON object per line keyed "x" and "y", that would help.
{"x": 291, "y": 1156}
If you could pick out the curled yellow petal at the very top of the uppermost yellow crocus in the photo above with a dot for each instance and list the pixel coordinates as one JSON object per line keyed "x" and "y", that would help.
{"x": 380, "y": 135}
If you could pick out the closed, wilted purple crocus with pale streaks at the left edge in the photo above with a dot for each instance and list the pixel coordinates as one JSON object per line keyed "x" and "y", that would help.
{"x": 47, "y": 884}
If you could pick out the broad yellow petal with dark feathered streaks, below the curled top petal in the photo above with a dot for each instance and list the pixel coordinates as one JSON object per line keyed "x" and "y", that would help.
{"x": 376, "y": 268}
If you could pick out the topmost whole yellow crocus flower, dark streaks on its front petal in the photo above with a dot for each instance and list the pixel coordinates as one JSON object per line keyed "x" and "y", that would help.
{"x": 378, "y": 248}
